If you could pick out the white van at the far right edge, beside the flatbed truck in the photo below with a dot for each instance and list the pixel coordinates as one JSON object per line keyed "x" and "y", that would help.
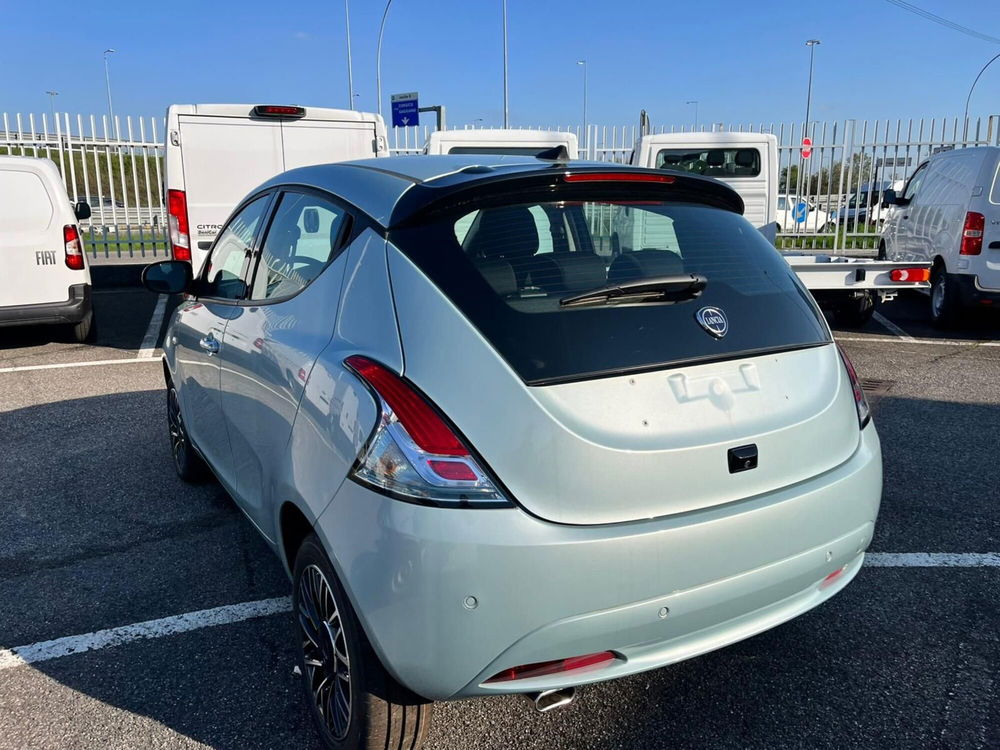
{"x": 949, "y": 215}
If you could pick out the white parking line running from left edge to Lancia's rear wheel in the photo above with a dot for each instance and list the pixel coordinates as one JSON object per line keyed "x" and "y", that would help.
{"x": 205, "y": 618}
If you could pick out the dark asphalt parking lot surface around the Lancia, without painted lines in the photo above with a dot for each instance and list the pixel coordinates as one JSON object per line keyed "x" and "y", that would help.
{"x": 98, "y": 533}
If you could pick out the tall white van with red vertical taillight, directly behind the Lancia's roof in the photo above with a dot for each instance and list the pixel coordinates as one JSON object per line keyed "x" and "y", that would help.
{"x": 216, "y": 153}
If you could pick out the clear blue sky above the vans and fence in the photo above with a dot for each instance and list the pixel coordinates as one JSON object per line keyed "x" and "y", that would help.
{"x": 744, "y": 61}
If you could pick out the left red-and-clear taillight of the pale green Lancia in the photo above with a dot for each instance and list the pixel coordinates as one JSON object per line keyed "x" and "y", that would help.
{"x": 413, "y": 451}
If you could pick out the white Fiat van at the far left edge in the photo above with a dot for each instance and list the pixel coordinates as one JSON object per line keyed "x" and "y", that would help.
{"x": 44, "y": 276}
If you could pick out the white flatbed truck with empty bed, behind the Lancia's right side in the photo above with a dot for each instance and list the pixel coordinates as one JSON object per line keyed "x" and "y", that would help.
{"x": 748, "y": 163}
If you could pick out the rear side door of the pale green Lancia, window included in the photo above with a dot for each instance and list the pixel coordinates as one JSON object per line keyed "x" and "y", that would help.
{"x": 270, "y": 347}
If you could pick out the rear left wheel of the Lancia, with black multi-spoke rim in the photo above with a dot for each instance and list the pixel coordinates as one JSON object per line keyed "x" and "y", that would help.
{"x": 340, "y": 668}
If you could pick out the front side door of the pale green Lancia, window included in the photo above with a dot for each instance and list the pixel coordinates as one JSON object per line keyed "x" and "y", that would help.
{"x": 199, "y": 329}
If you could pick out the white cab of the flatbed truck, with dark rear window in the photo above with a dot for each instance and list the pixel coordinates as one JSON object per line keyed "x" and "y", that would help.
{"x": 747, "y": 162}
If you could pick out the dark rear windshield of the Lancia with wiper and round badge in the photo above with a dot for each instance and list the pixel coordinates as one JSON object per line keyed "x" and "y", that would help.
{"x": 511, "y": 266}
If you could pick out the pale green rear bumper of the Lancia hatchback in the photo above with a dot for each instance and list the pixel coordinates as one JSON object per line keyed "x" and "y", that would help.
{"x": 450, "y": 597}
